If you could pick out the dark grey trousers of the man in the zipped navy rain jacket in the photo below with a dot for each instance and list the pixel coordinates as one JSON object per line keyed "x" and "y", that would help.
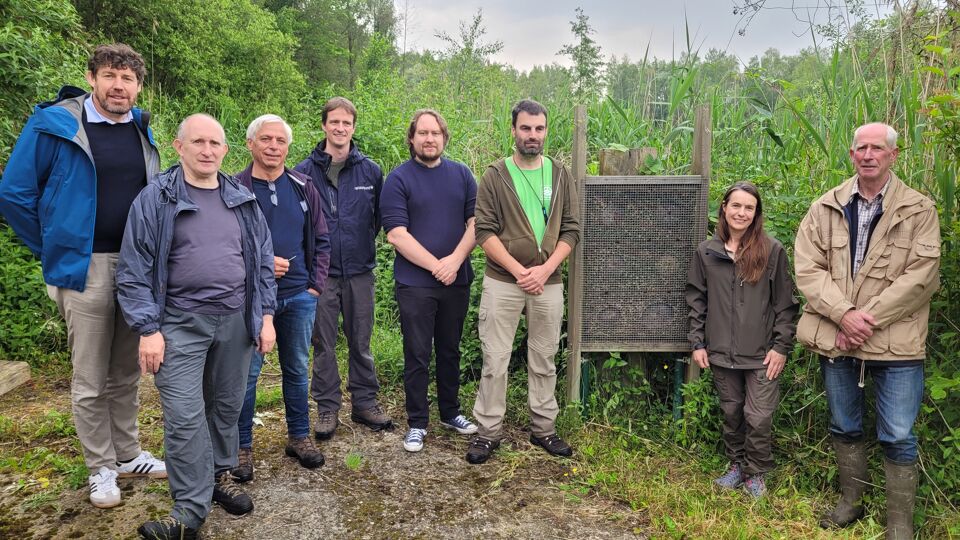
{"x": 352, "y": 296}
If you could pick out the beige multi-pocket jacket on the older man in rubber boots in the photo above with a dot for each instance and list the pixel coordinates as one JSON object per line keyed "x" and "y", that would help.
{"x": 895, "y": 283}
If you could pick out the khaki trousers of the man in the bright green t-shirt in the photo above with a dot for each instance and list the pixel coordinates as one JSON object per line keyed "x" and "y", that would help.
{"x": 501, "y": 305}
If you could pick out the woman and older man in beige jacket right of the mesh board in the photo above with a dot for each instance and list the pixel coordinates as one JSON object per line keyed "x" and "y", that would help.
{"x": 867, "y": 259}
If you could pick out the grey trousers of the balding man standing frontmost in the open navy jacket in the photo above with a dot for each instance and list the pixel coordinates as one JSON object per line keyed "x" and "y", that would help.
{"x": 201, "y": 382}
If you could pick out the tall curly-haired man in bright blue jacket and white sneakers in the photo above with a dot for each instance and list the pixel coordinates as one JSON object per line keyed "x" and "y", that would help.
{"x": 66, "y": 190}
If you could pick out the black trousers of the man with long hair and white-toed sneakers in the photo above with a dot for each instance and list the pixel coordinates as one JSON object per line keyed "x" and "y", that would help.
{"x": 431, "y": 317}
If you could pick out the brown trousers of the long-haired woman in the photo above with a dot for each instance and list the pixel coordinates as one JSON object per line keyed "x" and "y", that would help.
{"x": 748, "y": 399}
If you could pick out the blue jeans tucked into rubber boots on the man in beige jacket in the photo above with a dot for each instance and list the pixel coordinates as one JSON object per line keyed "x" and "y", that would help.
{"x": 899, "y": 391}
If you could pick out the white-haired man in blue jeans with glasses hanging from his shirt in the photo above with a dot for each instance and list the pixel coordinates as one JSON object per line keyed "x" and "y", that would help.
{"x": 301, "y": 246}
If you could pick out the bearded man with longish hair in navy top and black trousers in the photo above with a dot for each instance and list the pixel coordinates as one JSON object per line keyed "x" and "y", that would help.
{"x": 427, "y": 210}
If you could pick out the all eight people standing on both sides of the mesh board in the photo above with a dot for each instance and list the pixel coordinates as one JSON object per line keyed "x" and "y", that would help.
{"x": 193, "y": 275}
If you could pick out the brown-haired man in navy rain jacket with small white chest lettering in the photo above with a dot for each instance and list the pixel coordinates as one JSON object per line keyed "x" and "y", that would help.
{"x": 349, "y": 185}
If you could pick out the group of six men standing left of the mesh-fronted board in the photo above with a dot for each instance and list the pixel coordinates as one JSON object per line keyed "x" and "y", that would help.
{"x": 193, "y": 275}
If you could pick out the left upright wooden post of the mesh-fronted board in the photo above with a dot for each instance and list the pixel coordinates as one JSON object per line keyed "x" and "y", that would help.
{"x": 575, "y": 273}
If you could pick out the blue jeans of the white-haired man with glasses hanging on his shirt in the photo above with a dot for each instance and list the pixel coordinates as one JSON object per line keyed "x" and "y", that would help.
{"x": 293, "y": 322}
